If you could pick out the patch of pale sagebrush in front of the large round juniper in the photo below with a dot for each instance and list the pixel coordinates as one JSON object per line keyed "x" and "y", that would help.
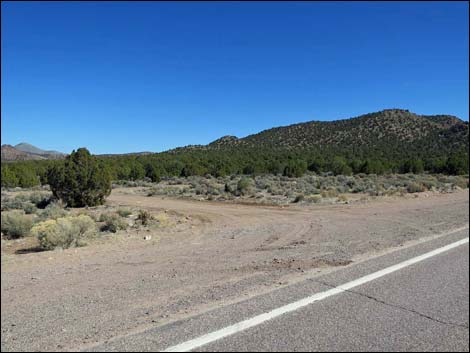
{"x": 57, "y": 226}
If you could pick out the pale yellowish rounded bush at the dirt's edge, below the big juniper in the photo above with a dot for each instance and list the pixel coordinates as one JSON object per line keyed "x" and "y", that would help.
{"x": 64, "y": 232}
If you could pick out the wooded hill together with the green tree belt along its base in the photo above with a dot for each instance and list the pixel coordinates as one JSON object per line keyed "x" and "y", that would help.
{"x": 389, "y": 141}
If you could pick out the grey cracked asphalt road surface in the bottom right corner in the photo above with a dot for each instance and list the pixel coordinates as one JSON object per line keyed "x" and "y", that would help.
{"x": 420, "y": 307}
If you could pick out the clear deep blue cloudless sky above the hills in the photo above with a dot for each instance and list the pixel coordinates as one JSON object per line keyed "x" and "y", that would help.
{"x": 122, "y": 77}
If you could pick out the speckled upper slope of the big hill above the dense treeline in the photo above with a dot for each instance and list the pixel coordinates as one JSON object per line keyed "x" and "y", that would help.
{"x": 380, "y": 131}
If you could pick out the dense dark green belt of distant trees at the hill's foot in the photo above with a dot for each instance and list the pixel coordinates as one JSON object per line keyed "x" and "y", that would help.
{"x": 249, "y": 161}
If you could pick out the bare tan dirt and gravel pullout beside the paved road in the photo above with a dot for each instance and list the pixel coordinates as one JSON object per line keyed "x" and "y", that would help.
{"x": 64, "y": 300}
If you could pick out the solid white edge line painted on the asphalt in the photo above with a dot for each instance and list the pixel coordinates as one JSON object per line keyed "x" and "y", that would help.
{"x": 254, "y": 321}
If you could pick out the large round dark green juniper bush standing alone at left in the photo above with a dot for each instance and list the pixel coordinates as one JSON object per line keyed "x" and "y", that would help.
{"x": 81, "y": 181}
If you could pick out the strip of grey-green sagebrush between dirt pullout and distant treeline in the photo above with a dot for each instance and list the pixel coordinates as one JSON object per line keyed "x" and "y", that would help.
{"x": 310, "y": 188}
